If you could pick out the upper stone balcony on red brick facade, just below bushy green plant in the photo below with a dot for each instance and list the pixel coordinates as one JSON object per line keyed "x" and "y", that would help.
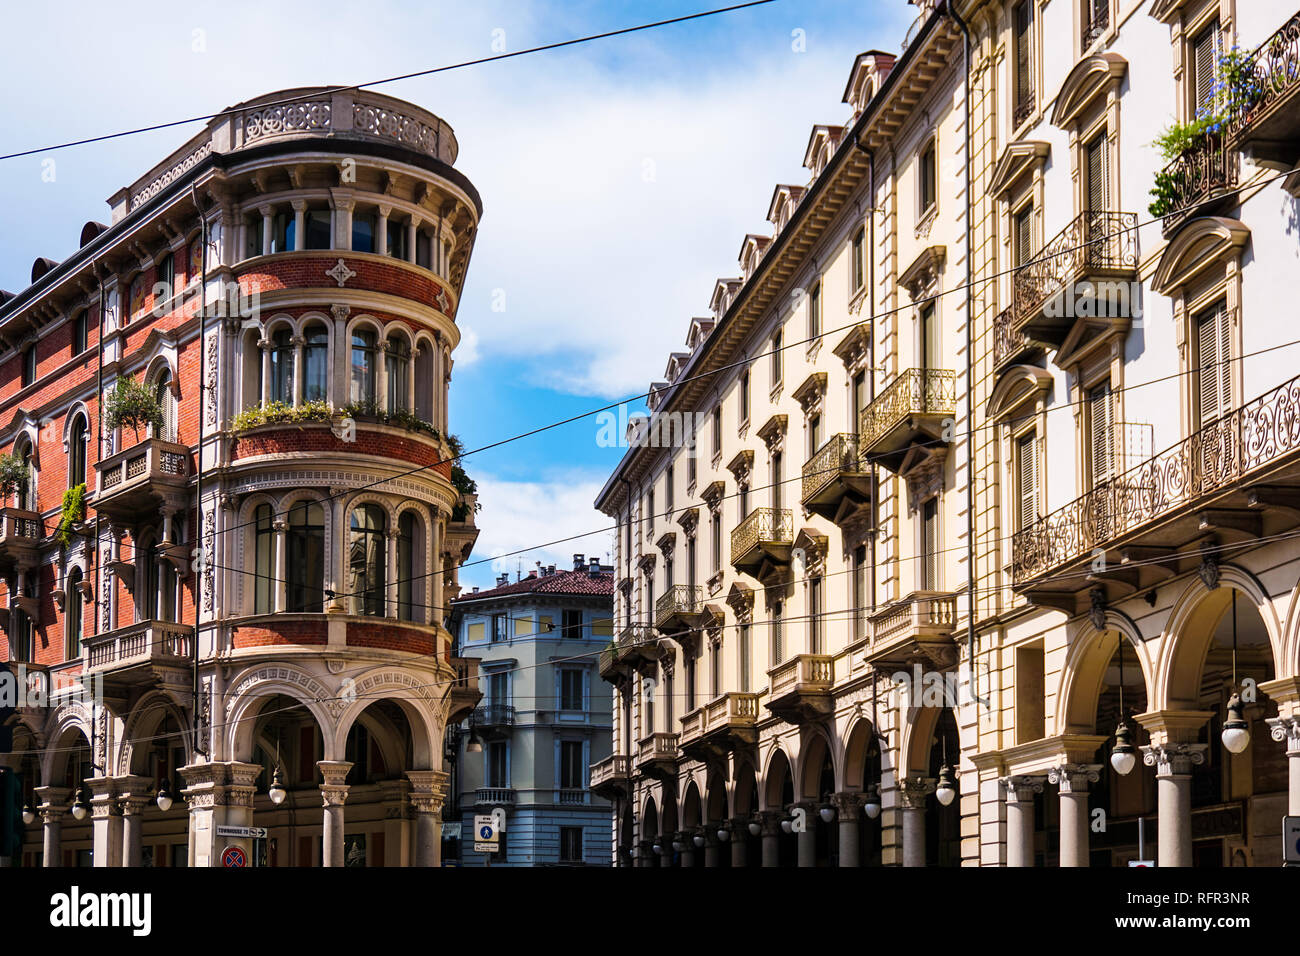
{"x": 142, "y": 481}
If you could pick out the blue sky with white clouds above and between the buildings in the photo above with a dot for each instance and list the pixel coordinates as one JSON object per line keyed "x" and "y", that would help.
{"x": 618, "y": 179}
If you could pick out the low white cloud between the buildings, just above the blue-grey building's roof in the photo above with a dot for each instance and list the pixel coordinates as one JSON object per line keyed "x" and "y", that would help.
{"x": 523, "y": 514}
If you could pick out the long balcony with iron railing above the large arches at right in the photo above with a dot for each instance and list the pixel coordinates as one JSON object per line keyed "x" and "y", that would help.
{"x": 1230, "y": 482}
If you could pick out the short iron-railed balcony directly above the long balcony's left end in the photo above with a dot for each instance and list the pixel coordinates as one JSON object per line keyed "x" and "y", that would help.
{"x": 1084, "y": 271}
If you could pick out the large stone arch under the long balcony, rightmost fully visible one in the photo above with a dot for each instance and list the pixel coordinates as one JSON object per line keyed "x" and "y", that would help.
{"x": 1190, "y": 630}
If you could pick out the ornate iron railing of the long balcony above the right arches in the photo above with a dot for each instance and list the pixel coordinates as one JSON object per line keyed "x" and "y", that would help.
{"x": 1255, "y": 436}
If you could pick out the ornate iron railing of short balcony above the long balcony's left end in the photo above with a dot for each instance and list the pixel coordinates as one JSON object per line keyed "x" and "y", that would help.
{"x": 1095, "y": 241}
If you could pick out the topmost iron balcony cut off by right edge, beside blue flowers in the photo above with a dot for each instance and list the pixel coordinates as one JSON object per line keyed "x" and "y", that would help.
{"x": 1269, "y": 131}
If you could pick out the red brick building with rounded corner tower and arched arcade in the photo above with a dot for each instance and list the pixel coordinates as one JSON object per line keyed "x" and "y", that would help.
{"x": 232, "y": 525}
